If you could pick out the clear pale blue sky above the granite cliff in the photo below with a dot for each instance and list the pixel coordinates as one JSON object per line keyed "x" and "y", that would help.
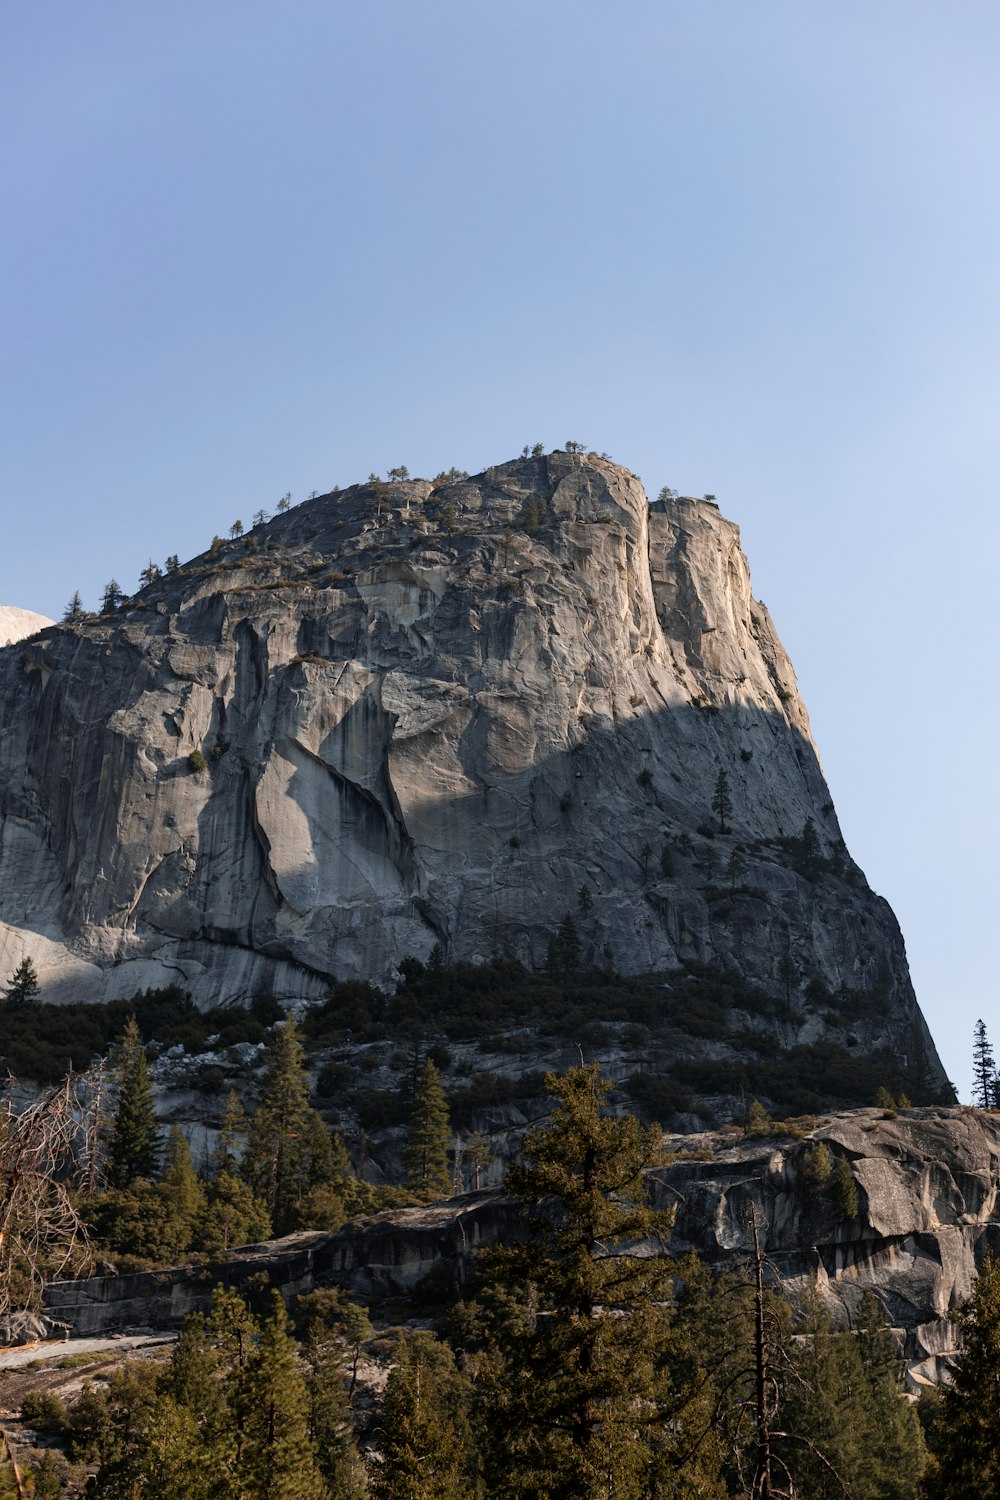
{"x": 747, "y": 247}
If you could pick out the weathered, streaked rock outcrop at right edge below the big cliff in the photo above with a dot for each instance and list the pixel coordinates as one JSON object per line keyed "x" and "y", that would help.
{"x": 927, "y": 1214}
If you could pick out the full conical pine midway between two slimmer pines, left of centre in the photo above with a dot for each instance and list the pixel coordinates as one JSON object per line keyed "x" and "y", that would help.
{"x": 289, "y": 1148}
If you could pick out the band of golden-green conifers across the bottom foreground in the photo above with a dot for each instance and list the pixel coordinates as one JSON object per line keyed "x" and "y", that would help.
{"x": 582, "y": 1363}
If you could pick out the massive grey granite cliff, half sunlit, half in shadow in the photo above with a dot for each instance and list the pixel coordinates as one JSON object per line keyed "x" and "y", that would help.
{"x": 434, "y": 716}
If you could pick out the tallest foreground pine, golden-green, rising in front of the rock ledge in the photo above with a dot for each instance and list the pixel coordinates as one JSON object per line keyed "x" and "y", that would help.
{"x": 572, "y": 1376}
